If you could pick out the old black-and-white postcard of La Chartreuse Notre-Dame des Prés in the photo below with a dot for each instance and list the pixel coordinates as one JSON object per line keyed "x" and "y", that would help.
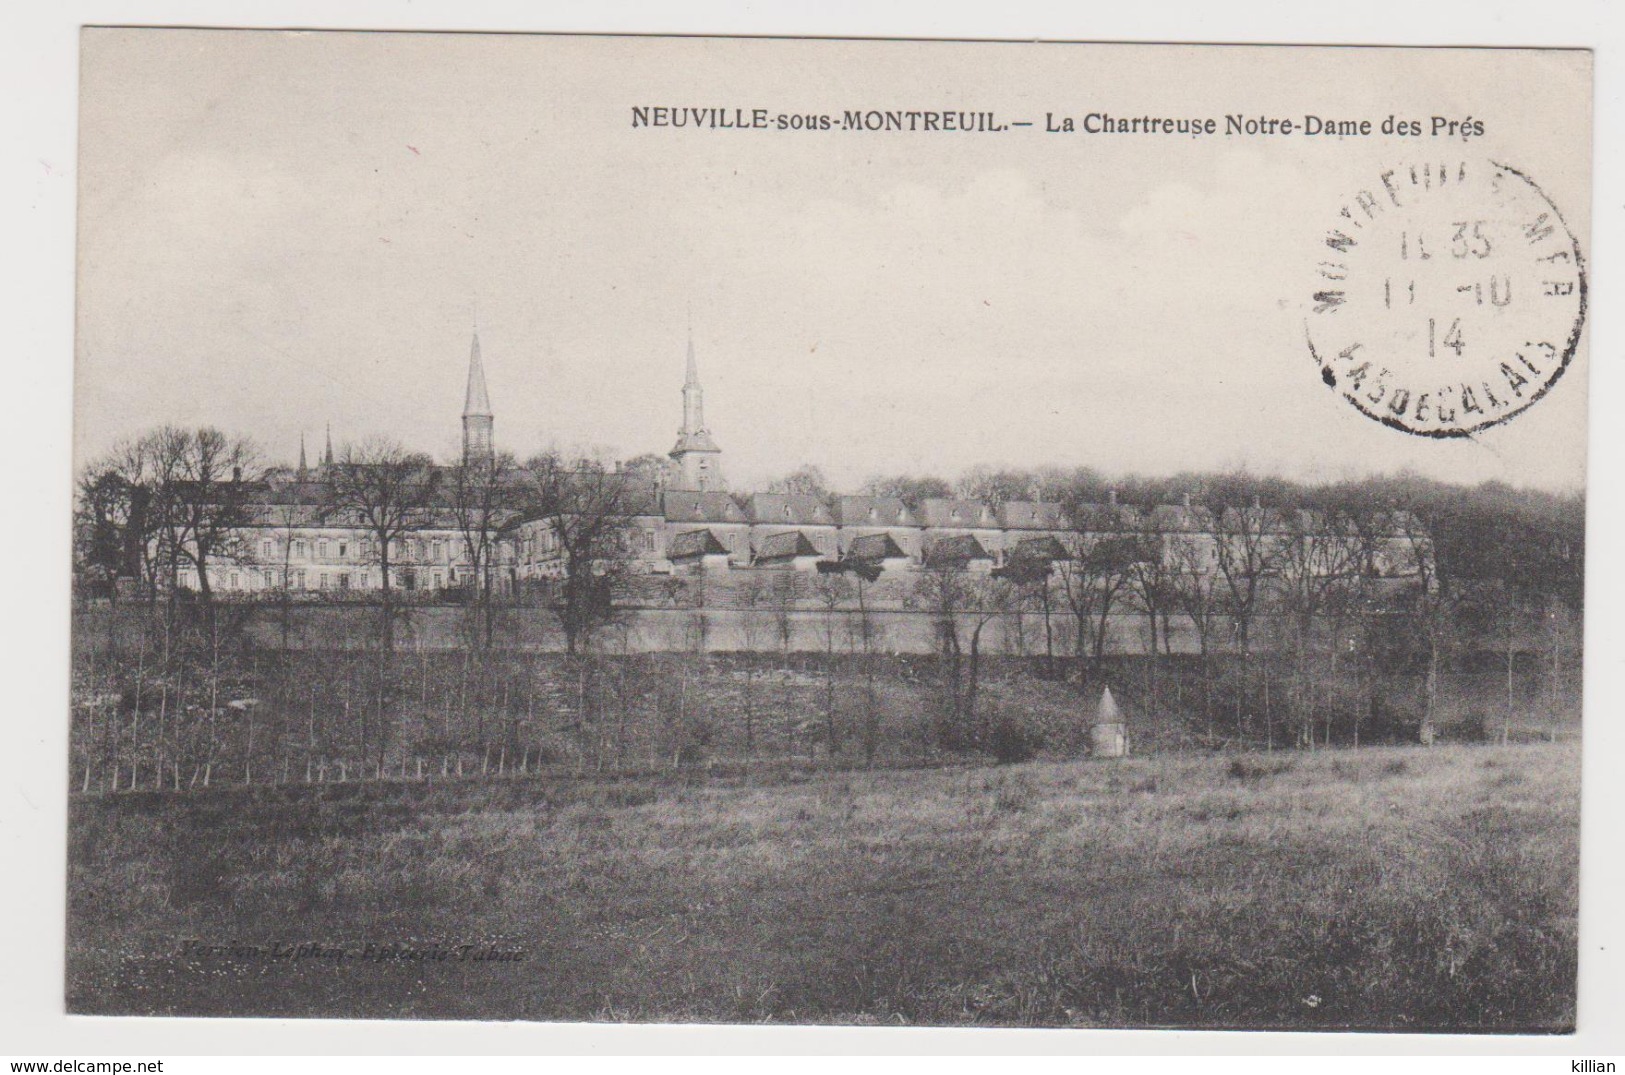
{"x": 828, "y": 532}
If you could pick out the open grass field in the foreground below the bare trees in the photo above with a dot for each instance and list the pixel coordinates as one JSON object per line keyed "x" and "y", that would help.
{"x": 1398, "y": 889}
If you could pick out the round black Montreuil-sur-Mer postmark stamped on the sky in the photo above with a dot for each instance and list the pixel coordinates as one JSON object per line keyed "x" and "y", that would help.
{"x": 1450, "y": 298}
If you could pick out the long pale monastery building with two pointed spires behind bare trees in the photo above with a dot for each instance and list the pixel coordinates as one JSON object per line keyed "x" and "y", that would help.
{"x": 685, "y": 524}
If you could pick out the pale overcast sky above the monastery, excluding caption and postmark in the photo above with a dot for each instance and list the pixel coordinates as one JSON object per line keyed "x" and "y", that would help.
{"x": 280, "y": 231}
